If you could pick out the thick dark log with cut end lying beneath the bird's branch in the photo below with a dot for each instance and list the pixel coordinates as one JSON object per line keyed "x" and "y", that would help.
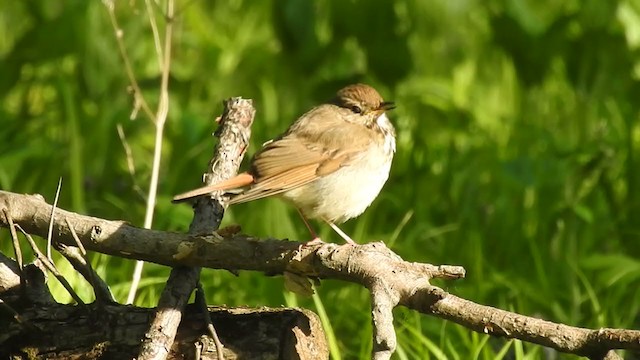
{"x": 44, "y": 329}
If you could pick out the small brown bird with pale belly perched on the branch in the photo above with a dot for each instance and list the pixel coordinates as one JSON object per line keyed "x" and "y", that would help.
{"x": 331, "y": 163}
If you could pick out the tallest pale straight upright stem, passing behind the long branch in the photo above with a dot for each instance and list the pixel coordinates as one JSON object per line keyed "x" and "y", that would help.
{"x": 160, "y": 119}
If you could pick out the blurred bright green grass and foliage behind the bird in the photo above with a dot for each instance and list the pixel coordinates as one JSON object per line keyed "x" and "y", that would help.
{"x": 518, "y": 144}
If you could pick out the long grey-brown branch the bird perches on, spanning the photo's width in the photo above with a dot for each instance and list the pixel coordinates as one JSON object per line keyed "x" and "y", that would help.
{"x": 360, "y": 264}
